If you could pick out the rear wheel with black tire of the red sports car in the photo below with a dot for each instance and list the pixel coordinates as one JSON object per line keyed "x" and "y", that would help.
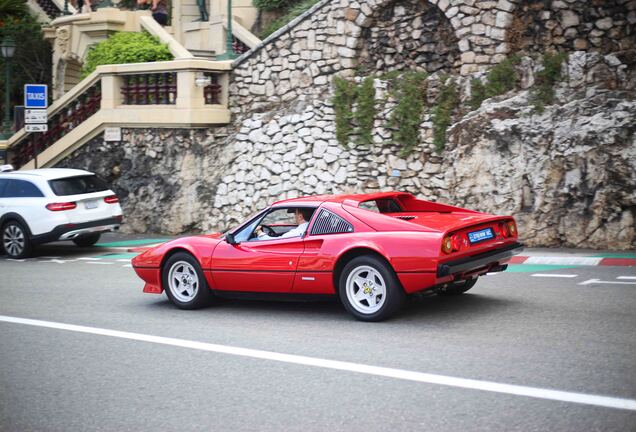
{"x": 374, "y": 308}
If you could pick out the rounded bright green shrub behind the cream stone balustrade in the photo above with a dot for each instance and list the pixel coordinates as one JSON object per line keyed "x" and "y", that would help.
{"x": 125, "y": 47}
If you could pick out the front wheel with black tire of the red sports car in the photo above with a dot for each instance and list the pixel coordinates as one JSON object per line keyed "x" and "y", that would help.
{"x": 182, "y": 292}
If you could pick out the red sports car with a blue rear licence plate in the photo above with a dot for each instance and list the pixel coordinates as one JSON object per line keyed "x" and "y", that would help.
{"x": 369, "y": 250}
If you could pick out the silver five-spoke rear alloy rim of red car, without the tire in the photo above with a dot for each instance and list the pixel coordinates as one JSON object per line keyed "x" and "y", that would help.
{"x": 366, "y": 289}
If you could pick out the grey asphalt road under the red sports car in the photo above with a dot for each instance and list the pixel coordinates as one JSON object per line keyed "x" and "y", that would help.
{"x": 537, "y": 332}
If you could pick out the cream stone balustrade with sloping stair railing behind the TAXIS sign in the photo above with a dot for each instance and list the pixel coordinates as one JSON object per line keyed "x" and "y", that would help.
{"x": 184, "y": 93}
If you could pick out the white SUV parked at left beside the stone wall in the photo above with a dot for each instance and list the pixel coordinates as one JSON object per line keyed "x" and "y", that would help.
{"x": 46, "y": 205}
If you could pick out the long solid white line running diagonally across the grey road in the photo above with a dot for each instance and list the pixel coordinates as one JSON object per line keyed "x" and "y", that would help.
{"x": 511, "y": 389}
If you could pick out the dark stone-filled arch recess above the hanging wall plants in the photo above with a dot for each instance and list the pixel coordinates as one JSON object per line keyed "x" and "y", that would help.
{"x": 408, "y": 34}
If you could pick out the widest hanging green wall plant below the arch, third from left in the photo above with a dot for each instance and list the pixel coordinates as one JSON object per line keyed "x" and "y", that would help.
{"x": 409, "y": 90}
